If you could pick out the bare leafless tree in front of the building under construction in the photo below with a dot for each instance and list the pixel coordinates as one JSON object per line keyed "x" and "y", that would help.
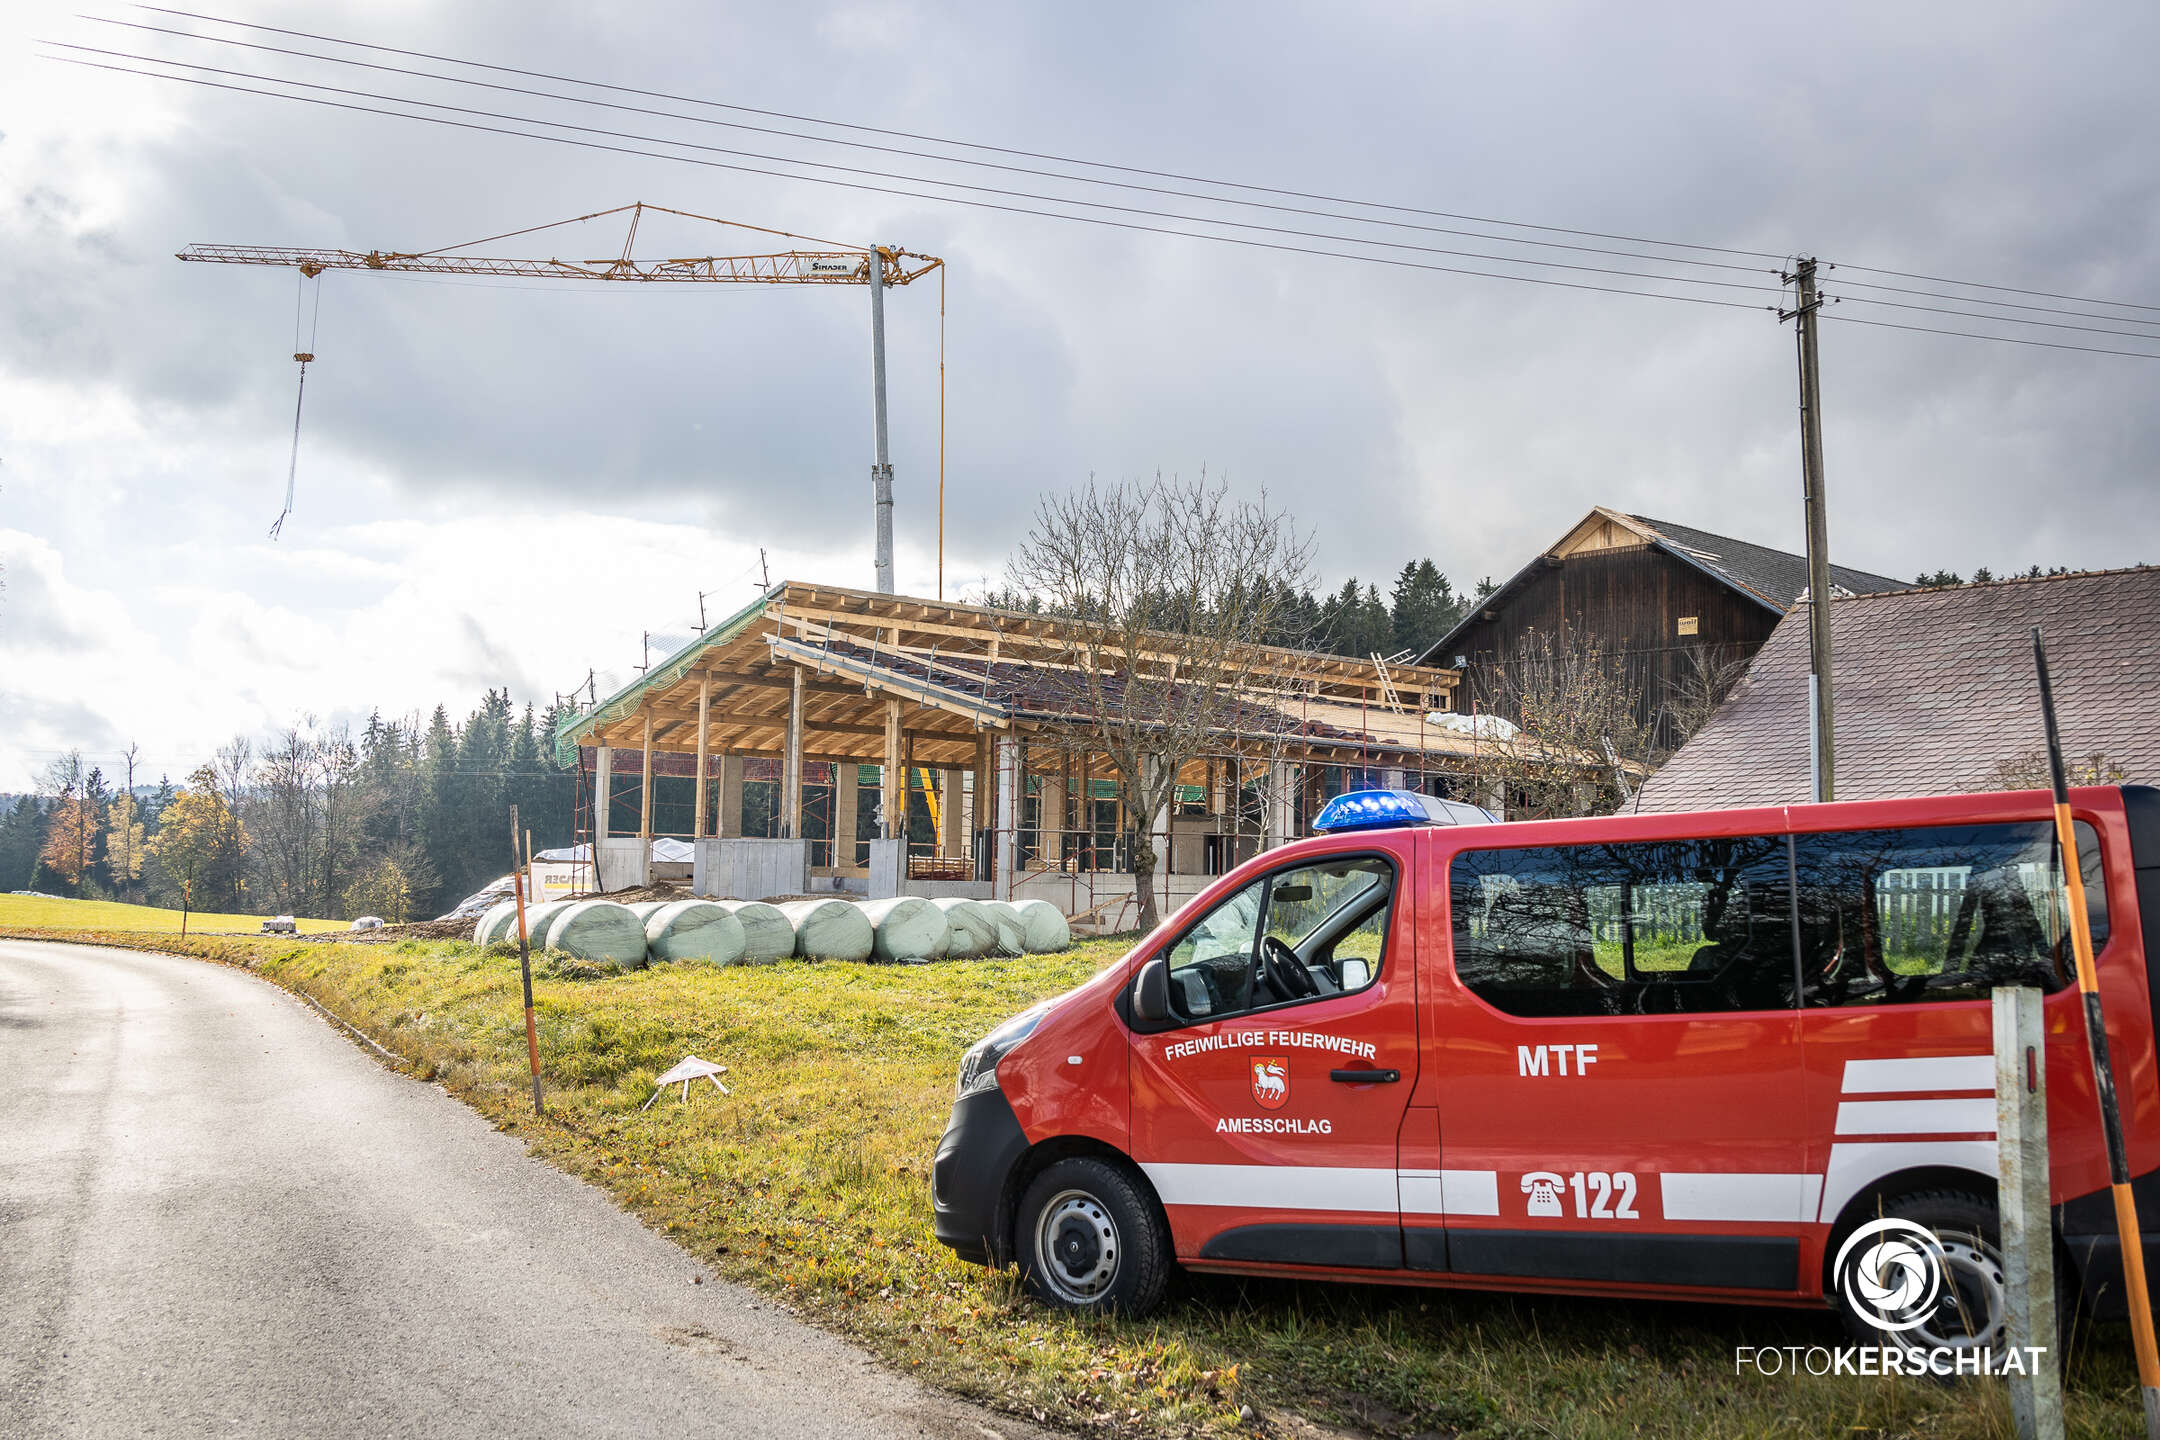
{"x": 1167, "y": 593}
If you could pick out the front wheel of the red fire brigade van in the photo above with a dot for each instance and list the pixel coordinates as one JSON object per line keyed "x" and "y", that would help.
{"x": 1090, "y": 1240}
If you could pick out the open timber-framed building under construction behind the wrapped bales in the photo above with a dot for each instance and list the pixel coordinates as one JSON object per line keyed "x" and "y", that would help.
{"x": 872, "y": 744}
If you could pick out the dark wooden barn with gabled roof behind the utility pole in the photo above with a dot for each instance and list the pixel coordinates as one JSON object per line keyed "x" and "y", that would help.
{"x": 1669, "y": 603}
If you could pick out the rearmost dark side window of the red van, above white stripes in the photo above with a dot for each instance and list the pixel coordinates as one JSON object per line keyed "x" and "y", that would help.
{"x": 1941, "y": 912}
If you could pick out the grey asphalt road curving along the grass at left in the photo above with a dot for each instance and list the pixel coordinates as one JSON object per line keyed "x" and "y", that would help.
{"x": 221, "y": 1219}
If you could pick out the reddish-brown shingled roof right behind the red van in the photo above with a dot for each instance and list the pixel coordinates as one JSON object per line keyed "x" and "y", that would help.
{"x": 1936, "y": 690}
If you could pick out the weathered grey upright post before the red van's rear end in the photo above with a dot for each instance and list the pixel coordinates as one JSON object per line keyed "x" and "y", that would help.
{"x": 2023, "y": 1206}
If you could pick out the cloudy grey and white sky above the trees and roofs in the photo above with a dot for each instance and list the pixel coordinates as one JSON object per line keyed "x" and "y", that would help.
{"x": 509, "y": 483}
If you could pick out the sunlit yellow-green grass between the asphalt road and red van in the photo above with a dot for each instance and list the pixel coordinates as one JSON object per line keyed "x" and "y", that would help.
{"x": 811, "y": 1182}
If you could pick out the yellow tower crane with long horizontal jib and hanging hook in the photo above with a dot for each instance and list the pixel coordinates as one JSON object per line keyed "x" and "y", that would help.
{"x": 876, "y": 267}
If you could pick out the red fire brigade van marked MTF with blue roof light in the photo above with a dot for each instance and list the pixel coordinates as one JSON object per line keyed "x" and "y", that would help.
{"x": 1673, "y": 1057}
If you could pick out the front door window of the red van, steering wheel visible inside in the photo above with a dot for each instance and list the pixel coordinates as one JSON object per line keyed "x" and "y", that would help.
{"x": 1301, "y": 934}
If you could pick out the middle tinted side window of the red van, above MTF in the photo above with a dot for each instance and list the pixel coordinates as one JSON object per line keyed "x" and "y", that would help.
{"x": 1666, "y": 927}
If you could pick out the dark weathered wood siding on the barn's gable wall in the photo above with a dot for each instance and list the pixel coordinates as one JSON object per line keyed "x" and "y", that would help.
{"x": 1634, "y": 601}
